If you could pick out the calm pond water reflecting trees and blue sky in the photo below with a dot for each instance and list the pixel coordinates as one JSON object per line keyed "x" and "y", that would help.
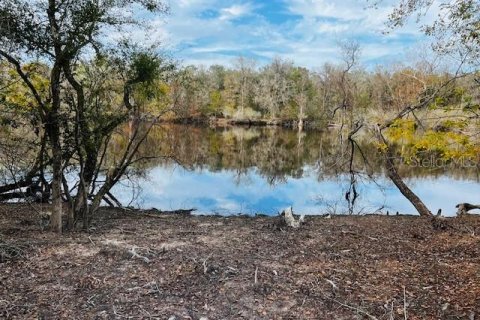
{"x": 264, "y": 170}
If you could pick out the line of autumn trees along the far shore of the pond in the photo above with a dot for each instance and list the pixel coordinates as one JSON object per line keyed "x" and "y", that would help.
{"x": 282, "y": 90}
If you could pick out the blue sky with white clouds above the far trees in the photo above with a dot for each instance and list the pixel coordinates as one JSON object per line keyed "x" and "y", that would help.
{"x": 307, "y": 32}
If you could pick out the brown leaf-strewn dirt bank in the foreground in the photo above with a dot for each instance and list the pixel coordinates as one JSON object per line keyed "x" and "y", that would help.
{"x": 146, "y": 265}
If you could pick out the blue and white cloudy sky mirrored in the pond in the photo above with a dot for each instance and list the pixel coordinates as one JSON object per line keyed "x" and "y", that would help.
{"x": 168, "y": 187}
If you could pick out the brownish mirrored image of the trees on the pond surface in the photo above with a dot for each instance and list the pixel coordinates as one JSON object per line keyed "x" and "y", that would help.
{"x": 275, "y": 153}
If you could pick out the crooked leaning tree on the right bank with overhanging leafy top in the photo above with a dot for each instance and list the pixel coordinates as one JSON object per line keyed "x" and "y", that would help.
{"x": 456, "y": 31}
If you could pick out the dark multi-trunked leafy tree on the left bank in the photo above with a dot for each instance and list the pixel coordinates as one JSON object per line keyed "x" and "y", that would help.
{"x": 61, "y": 33}
